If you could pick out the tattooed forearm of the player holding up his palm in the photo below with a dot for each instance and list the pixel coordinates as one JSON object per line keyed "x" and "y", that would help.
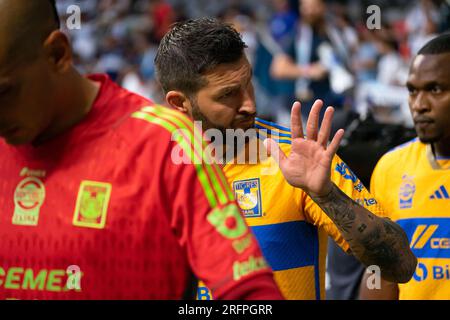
{"x": 373, "y": 240}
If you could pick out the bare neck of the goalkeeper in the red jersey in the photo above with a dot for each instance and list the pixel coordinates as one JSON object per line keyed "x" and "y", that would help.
{"x": 75, "y": 100}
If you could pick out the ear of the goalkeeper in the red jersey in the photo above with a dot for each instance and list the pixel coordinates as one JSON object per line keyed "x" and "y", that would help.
{"x": 58, "y": 51}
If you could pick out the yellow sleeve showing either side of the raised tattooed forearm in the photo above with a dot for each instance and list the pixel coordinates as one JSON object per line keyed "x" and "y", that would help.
{"x": 348, "y": 182}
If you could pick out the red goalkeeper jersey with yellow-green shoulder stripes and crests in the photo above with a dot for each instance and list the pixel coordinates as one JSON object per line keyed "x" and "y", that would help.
{"x": 102, "y": 212}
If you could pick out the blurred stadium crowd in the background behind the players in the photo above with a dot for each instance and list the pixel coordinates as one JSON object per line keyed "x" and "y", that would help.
{"x": 299, "y": 49}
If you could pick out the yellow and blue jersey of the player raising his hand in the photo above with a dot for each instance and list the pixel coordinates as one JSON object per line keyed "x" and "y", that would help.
{"x": 291, "y": 229}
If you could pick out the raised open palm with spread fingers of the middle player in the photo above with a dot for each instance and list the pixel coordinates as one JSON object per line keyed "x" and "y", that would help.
{"x": 308, "y": 166}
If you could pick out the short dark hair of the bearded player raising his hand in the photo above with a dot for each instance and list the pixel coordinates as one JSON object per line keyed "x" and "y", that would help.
{"x": 191, "y": 49}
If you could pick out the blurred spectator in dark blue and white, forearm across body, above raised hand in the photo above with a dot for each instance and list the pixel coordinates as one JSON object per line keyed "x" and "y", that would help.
{"x": 312, "y": 61}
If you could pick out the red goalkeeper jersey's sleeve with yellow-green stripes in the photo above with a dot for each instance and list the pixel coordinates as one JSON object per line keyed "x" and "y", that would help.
{"x": 219, "y": 246}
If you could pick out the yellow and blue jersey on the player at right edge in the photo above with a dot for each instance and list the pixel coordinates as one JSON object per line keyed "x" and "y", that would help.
{"x": 414, "y": 187}
